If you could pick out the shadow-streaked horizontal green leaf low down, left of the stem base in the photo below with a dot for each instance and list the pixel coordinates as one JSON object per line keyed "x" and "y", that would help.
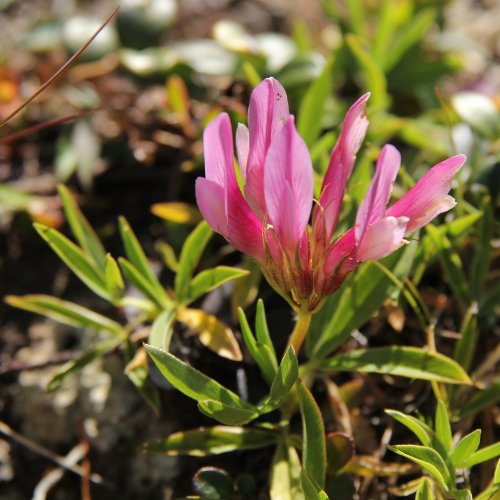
{"x": 212, "y": 441}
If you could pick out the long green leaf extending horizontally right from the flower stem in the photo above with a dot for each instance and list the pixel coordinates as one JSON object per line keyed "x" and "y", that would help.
{"x": 409, "y": 362}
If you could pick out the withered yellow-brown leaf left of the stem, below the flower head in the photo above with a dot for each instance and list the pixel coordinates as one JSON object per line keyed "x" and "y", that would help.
{"x": 214, "y": 334}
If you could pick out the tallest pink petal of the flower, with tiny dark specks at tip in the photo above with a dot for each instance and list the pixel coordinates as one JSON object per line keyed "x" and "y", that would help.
{"x": 267, "y": 113}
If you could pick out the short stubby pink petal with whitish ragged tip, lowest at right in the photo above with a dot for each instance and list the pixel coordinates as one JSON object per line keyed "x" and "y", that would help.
{"x": 382, "y": 238}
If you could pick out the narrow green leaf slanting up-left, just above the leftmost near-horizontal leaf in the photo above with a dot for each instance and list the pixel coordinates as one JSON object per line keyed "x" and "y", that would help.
{"x": 75, "y": 259}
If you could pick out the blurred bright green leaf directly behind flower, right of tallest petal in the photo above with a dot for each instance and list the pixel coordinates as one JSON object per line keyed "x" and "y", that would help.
{"x": 312, "y": 106}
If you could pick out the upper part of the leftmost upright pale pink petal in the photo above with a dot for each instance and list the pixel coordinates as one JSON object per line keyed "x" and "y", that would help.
{"x": 218, "y": 148}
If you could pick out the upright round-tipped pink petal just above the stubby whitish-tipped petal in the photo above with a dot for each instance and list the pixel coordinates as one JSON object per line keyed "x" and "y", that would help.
{"x": 373, "y": 206}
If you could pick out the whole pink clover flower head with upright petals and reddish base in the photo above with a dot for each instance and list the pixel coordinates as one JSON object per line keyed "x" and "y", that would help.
{"x": 269, "y": 217}
